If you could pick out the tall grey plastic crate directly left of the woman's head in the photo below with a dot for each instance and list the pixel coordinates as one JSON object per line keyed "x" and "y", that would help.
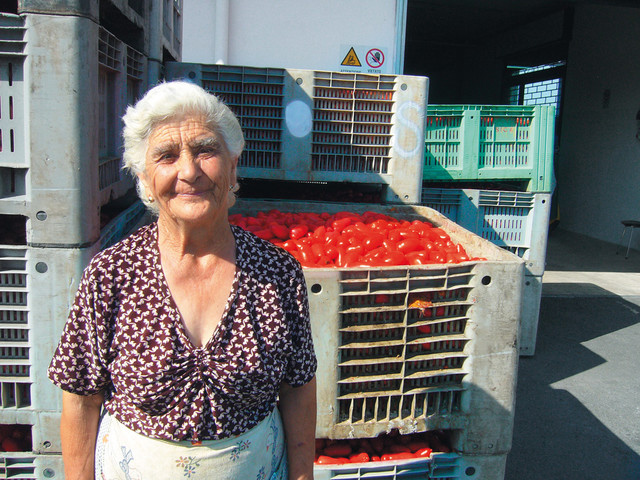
{"x": 61, "y": 100}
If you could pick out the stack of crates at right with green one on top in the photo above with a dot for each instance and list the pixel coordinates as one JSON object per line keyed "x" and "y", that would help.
{"x": 496, "y": 145}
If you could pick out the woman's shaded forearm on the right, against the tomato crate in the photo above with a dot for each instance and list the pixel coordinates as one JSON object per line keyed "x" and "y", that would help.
{"x": 298, "y": 410}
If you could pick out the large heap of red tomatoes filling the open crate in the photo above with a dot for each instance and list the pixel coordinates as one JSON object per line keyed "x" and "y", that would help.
{"x": 347, "y": 239}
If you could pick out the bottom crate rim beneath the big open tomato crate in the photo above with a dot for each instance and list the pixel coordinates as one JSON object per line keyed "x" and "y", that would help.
{"x": 441, "y": 466}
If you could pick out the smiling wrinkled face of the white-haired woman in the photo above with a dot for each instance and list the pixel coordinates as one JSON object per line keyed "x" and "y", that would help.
{"x": 188, "y": 171}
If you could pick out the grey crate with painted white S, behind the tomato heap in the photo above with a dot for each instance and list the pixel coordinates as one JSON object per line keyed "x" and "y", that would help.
{"x": 319, "y": 126}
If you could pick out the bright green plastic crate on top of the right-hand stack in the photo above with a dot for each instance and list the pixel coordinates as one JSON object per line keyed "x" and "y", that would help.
{"x": 484, "y": 142}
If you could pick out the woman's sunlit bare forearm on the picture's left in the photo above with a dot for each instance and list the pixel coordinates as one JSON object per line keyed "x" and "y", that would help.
{"x": 78, "y": 432}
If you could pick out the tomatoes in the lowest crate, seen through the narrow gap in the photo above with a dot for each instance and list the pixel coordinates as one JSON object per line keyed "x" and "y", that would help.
{"x": 386, "y": 447}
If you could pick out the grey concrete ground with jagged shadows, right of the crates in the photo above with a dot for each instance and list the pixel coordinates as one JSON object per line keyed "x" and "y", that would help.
{"x": 578, "y": 398}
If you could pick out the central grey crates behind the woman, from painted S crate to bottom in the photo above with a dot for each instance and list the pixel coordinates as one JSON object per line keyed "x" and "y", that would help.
{"x": 378, "y": 371}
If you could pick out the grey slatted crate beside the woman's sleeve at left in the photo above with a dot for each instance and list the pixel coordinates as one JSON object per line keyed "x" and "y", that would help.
{"x": 37, "y": 288}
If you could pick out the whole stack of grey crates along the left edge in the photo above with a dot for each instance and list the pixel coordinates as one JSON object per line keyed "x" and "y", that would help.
{"x": 64, "y": 82}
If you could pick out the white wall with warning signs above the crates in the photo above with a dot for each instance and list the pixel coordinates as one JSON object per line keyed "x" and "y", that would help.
{"x": 303, "y": 34}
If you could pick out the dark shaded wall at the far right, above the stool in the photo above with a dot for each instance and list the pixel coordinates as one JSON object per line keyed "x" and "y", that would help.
{"x": 599, "y": 158}
